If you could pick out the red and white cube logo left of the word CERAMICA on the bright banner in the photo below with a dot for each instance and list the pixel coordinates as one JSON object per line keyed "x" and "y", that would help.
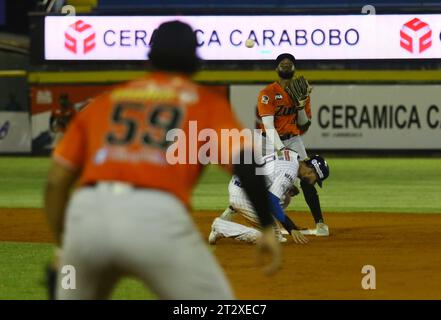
{"x": 79, "y": 38}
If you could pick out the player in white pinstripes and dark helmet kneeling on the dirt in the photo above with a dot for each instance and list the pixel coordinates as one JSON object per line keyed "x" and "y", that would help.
{"x": 281, "y": 169}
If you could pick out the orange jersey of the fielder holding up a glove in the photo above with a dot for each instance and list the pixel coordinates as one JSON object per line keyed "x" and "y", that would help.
{"x": 274, "y": 101}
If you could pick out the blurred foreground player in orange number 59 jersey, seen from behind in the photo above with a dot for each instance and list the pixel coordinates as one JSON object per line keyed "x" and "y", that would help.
{"x": 129, "y": 214}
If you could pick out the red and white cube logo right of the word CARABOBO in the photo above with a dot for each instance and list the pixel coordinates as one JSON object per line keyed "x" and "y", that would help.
{"x": 416, "y": 36}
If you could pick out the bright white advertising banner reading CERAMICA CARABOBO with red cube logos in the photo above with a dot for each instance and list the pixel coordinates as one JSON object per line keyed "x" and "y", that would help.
{"x": 410, "y": 36}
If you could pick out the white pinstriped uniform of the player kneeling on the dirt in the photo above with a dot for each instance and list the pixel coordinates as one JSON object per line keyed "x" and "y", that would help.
{"x": 280, "y": 171}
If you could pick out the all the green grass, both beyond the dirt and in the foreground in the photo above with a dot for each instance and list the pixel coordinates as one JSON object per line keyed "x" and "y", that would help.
{"x": 355, "y": 185}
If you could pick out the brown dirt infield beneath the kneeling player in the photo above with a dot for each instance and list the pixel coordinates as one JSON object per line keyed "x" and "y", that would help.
{"x": 404, "y": 249}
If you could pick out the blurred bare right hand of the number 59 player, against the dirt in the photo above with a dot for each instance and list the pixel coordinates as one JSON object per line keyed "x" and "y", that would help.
{"x": 268, "y": 243}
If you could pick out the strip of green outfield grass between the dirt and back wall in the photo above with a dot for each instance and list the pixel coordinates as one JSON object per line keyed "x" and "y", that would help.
{"x": 354, "y": 185}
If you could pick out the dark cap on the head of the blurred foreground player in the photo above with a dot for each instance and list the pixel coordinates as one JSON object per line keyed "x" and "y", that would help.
{"x": 173, "y": 48}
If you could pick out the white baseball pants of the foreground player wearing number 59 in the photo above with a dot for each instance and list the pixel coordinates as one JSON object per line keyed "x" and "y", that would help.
{"x": 114, "y": 230}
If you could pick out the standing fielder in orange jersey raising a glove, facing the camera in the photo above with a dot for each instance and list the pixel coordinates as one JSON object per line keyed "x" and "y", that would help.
{"x": 285, "y": 118}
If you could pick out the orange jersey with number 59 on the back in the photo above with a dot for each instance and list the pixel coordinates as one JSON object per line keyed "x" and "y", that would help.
{"x": 122, "y": 135}
